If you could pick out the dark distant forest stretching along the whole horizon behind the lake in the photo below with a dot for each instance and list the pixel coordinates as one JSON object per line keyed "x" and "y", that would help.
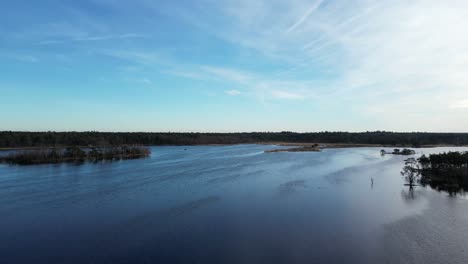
{"x": 11, "y": 139}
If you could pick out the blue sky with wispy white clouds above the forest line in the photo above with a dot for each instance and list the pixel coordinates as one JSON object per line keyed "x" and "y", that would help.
{"x": 234, "y": 65}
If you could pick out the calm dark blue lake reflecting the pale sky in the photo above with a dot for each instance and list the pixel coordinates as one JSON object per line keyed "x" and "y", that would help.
{"x": 229, "y": 204}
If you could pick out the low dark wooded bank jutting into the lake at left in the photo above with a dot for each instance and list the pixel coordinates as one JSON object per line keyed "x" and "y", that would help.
{"x": 75, "y": 154}
